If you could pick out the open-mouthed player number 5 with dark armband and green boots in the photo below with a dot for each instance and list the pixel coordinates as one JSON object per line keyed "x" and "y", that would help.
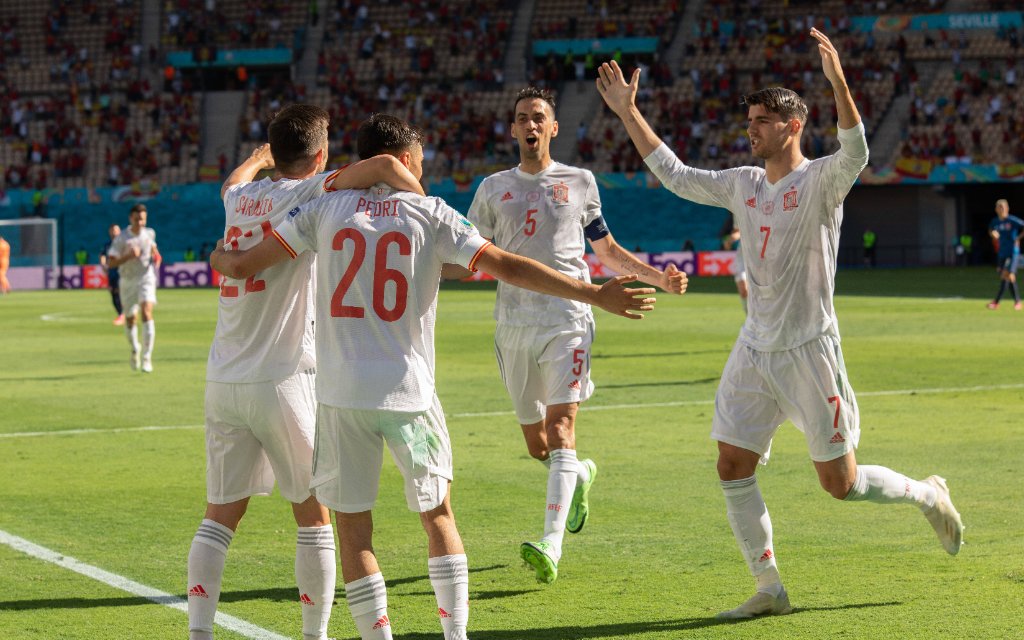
{"x": 543, "y": 209}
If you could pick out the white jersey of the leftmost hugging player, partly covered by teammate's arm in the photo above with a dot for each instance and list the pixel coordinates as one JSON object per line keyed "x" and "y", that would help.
{"x": 265, "y": 324}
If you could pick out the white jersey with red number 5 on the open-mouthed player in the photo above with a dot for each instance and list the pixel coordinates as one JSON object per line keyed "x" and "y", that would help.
{"x": 540, "y": 217}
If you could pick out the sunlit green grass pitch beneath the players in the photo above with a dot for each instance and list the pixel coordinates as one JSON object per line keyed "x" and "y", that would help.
{"x": 940, "y": 385}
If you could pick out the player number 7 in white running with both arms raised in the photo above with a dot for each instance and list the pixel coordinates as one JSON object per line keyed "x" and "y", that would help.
{"x": 787, "y": 363}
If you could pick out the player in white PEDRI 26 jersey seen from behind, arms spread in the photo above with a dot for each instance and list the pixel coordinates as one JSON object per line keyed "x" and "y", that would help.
{"x": 380, "y": 258}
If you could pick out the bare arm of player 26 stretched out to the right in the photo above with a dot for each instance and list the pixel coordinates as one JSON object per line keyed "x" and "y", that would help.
{"x": 522, "y": 272}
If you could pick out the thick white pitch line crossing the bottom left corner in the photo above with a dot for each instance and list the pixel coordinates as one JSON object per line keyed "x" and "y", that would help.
{"x": 120, "y": 582}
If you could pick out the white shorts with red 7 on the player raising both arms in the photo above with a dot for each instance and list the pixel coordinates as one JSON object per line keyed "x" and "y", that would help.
{"x": 807, "y": 386}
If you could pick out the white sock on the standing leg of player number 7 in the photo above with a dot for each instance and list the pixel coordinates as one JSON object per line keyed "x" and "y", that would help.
{"x": 752, "y": 527}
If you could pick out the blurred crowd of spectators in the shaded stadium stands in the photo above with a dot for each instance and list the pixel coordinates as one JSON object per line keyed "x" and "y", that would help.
{"x": 87, "y": 100}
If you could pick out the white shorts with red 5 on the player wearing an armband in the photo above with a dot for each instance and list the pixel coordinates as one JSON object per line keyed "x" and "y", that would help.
{"x": 544, "y": 366}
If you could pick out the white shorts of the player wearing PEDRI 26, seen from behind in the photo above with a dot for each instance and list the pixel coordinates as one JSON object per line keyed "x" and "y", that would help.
{"x": 351, "y": 453}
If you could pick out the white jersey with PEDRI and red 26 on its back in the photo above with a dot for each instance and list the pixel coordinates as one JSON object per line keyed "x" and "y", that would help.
{"x": 379, "y": 263}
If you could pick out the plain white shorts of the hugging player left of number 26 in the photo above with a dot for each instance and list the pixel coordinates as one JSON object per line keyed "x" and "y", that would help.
{"x": 257, "y": 433}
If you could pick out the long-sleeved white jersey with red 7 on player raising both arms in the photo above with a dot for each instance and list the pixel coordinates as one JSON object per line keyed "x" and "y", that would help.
{"x": 791, "y": 236}
